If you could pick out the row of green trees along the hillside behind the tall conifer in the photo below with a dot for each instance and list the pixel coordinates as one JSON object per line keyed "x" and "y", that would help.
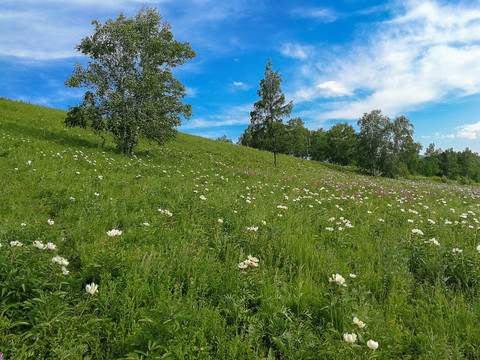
{"x": 380, "y": 147}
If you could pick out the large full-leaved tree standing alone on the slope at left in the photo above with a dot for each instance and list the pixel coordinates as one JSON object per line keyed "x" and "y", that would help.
{"x": 132, "y": 92}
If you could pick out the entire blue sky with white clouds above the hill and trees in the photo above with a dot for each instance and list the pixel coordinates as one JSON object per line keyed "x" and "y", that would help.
{"x": 338, "y": 59}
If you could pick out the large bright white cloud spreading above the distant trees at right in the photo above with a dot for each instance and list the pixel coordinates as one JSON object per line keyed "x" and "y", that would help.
{"x": 431, "y": 52}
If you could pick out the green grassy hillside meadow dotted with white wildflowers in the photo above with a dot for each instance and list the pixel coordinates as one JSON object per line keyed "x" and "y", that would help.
{"x": 205, "y": 250}
